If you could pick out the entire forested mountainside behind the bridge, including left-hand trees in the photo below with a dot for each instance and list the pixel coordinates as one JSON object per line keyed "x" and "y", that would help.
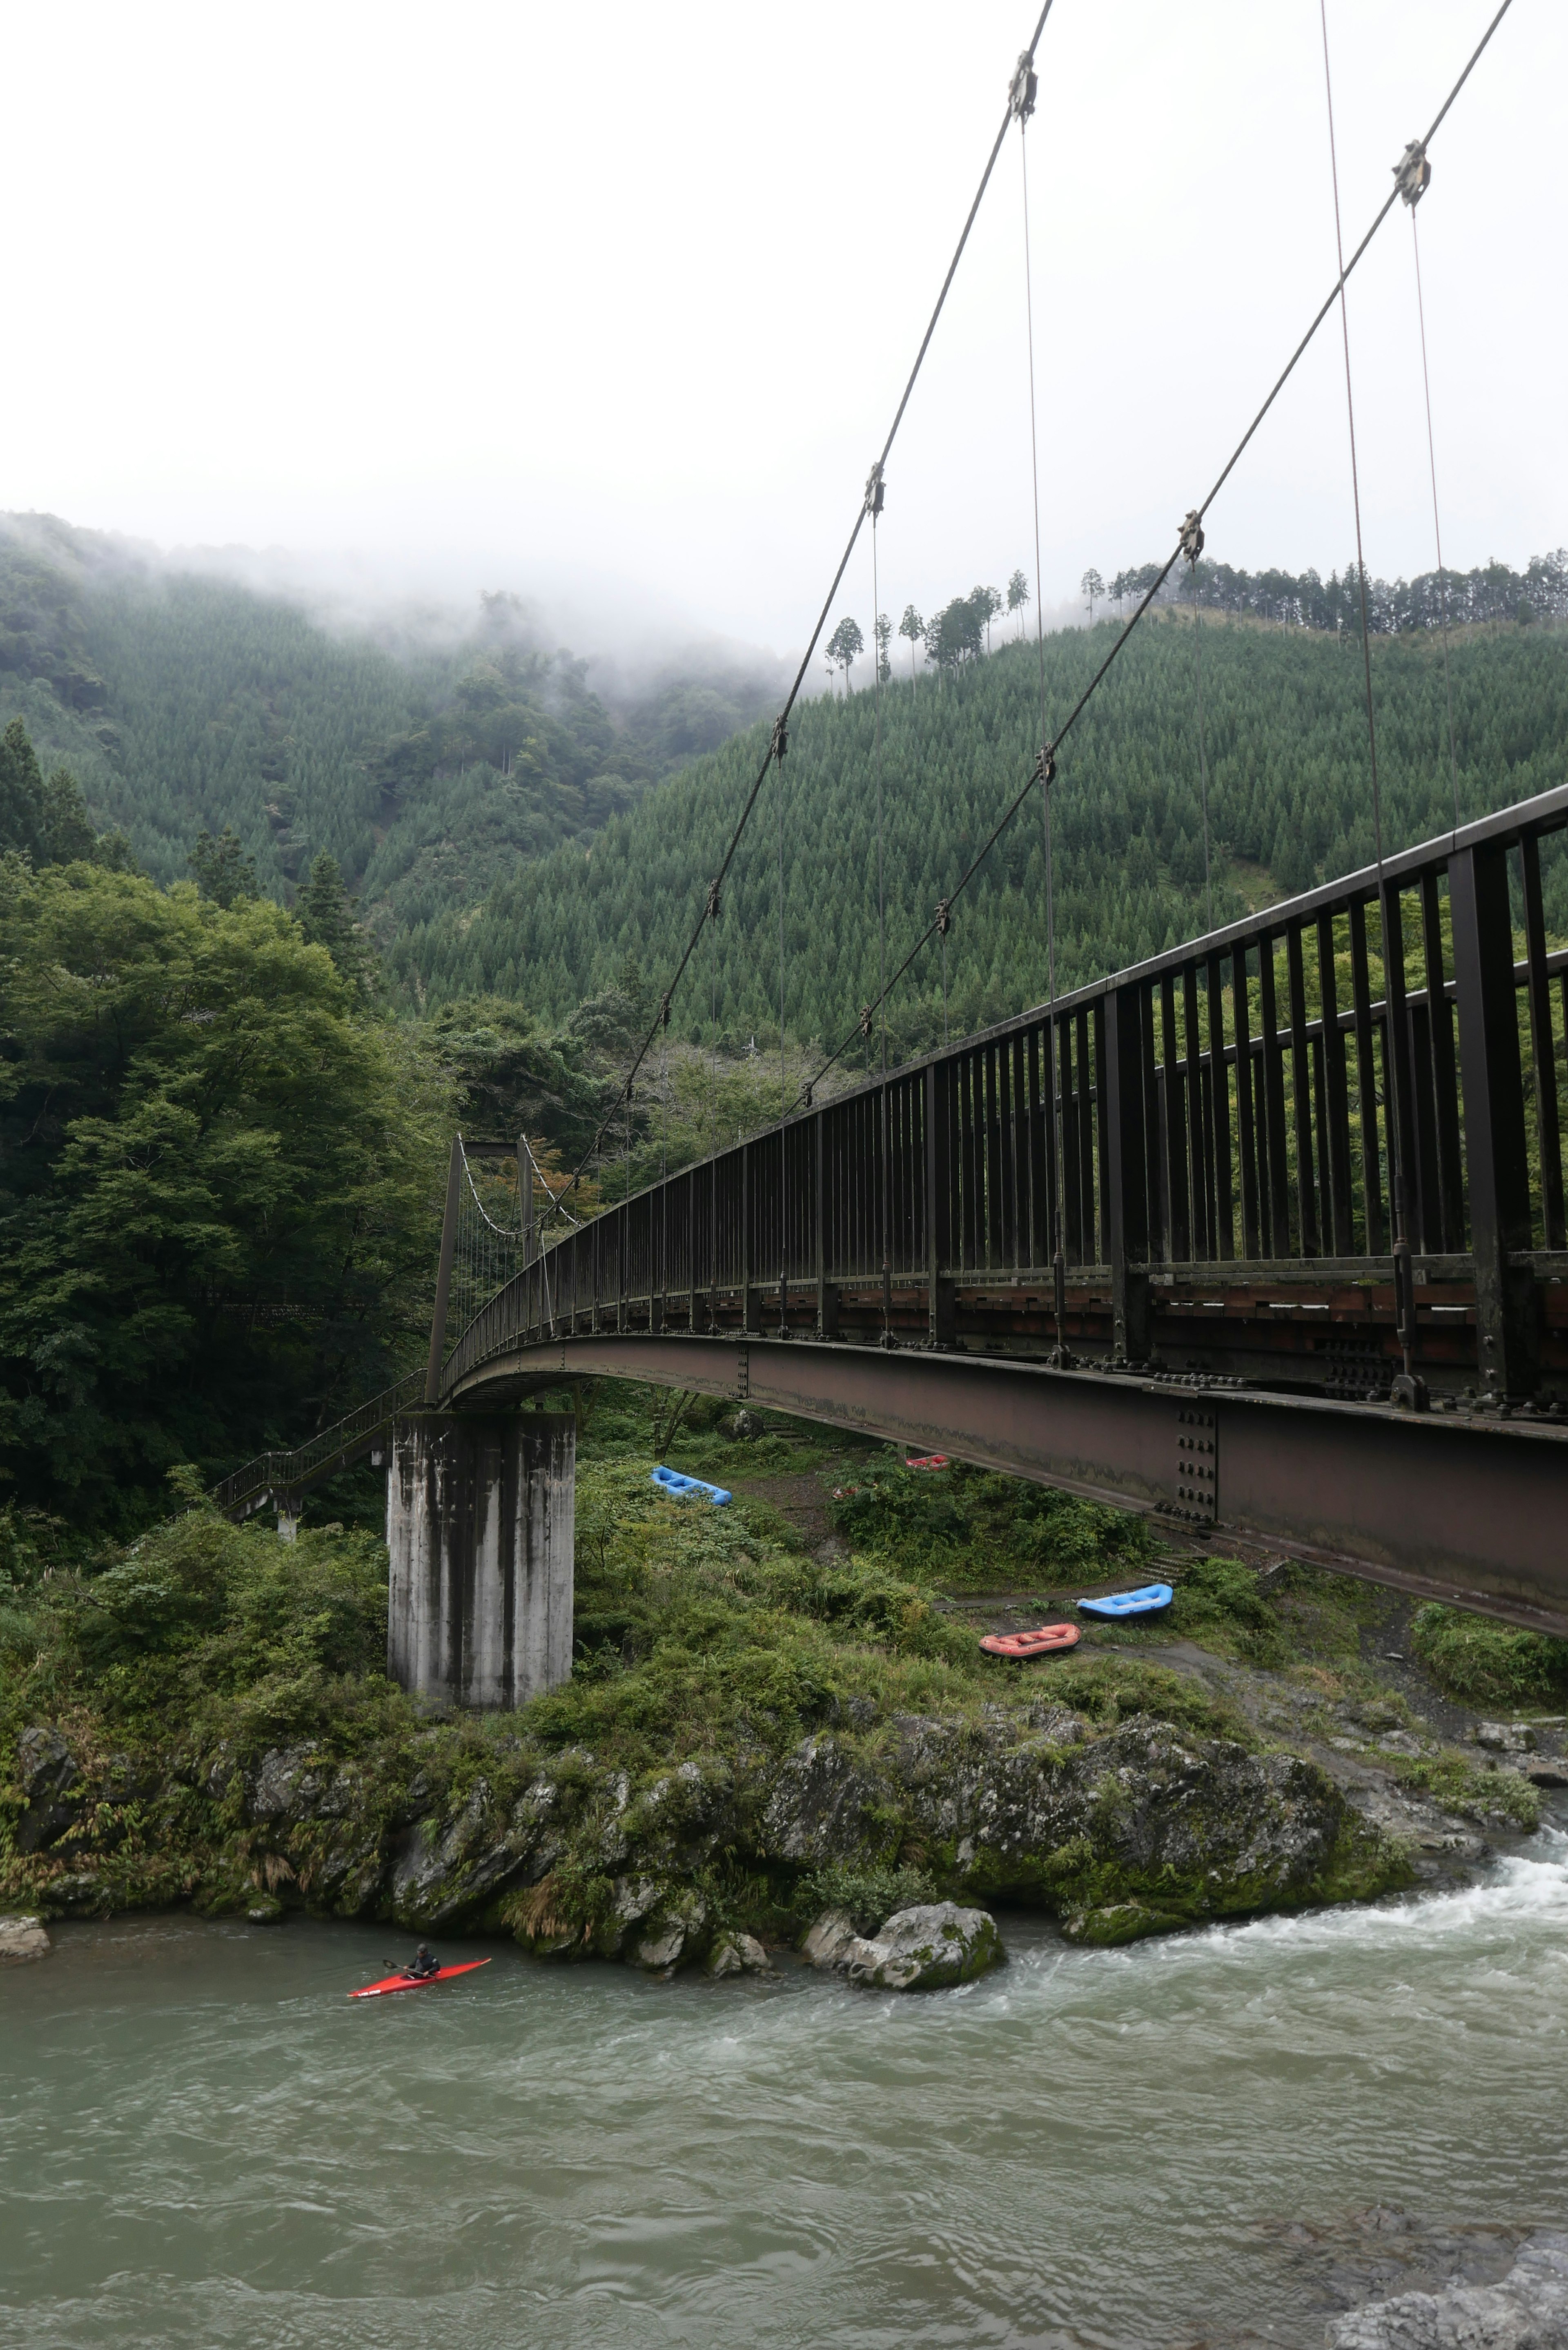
{"x": 225, "y": 1120}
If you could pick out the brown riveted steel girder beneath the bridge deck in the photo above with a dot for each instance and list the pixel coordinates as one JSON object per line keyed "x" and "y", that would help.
{"x": 1466, "y": 1510}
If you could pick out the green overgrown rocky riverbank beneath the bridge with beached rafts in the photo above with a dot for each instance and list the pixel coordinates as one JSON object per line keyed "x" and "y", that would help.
{"x": 775, "y": 1710}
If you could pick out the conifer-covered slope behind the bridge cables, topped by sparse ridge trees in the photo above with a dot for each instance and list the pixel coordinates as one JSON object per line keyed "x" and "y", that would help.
{"x": 1289, "y": 803}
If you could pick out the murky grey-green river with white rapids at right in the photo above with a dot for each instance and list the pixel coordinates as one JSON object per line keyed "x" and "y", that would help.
{"x": 203, "y": 2142}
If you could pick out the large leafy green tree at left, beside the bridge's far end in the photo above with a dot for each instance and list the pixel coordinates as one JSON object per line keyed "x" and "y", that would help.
{"x": 217, "y": 1188}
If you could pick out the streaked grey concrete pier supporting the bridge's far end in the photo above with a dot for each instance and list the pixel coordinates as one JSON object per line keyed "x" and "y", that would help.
{"x": 481, "y": 1529}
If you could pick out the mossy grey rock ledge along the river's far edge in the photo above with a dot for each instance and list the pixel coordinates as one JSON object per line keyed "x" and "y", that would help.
{"x": 1118, "y": 1832}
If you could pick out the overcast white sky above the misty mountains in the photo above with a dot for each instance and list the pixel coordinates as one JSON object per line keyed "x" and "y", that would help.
{"x": 612, "y": 304}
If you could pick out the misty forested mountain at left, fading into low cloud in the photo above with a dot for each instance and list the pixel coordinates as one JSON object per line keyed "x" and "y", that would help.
{"x": 427, "y": 767}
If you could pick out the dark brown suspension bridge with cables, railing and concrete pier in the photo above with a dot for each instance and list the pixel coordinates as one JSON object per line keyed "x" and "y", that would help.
{"x": 1264, "y": 1237}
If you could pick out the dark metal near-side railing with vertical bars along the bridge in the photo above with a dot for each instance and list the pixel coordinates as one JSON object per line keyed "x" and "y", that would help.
{"x": 1238, "y": 1103}
